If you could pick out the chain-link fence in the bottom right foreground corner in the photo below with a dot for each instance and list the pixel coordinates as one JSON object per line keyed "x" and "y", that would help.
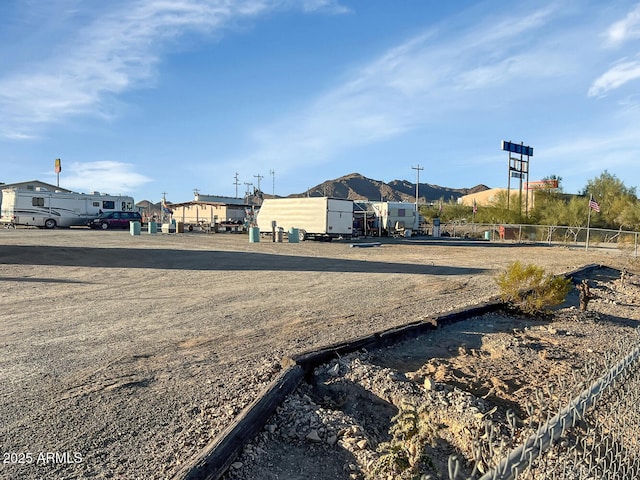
{"x": 594, "y": 434}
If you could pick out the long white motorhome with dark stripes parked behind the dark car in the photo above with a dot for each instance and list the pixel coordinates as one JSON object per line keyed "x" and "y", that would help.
{"x": 44, "y": 208}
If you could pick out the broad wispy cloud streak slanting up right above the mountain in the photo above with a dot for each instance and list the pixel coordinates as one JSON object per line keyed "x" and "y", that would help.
{"x": 407, "y": 86}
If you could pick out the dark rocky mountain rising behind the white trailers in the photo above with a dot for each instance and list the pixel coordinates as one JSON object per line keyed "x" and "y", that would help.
{"x": 357, "y": 187}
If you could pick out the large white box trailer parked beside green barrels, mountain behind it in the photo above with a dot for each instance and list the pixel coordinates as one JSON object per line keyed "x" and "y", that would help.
{"x": 320, "y": 218}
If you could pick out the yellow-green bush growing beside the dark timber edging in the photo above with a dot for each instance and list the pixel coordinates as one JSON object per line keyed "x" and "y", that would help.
{"x": 529, "y": 289}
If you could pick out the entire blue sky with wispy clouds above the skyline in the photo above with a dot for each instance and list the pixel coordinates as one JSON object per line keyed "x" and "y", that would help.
{"x": 152, "y": 96}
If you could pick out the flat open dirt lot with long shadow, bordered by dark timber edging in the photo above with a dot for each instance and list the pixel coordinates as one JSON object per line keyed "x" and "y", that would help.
{"x": 122, "y": 356}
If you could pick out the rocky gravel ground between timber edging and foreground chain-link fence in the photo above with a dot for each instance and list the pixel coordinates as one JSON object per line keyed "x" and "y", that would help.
{"x": 463, "y": 379}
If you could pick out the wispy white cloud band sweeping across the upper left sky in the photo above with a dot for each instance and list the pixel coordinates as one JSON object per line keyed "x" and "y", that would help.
{"x": 114, "y": 53}
